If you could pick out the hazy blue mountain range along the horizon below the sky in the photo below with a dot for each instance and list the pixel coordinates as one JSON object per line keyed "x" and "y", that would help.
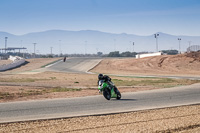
{"x": 91, "y": 41}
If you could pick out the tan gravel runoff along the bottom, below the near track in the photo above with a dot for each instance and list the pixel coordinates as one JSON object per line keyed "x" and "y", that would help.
{"x": 182, "y": 119}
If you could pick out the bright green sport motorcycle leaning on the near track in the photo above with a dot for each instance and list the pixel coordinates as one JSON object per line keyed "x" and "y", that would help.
{"x": 109, "y": 90}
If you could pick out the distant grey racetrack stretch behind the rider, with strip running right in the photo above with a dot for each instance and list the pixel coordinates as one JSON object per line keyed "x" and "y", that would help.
{"x": 85, "y": 64}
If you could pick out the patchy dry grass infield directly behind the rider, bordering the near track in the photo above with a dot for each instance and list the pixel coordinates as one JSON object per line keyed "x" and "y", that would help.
{"x": 50, "y": 85}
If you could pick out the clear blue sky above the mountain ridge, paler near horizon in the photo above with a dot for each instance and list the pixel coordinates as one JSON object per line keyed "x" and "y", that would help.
{"x": 140, "y": 17}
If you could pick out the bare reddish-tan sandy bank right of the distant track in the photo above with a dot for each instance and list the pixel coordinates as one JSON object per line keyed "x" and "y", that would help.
{"x": 184, "y": 64}
